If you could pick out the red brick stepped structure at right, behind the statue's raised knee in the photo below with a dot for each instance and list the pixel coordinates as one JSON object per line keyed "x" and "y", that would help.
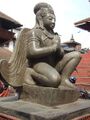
{"x": 83, "y": 71}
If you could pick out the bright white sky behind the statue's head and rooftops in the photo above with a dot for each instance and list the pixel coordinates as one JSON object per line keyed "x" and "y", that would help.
{"x": 67, "y": 13}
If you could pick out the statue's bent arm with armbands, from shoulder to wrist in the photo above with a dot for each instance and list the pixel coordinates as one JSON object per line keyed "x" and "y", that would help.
{"x": 34, "y": 49}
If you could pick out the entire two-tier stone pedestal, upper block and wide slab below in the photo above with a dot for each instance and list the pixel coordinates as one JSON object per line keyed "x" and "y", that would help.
{"x": 45, "y": 103}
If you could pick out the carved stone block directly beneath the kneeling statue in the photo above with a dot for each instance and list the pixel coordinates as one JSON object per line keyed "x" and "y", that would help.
{"x": 49, "y": 96}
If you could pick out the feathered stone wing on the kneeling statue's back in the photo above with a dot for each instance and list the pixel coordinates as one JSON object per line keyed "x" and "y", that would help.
{"x": 14, "y": 72}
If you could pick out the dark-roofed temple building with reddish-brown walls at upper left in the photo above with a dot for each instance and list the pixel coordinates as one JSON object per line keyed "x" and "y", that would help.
{"x": 7, "y": 25}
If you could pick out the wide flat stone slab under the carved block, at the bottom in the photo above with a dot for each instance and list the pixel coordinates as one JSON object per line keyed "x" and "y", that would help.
{"x": 31, "y": 111}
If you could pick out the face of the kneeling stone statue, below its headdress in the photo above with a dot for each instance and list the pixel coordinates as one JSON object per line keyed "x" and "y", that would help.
{"x": 49, "y": 21}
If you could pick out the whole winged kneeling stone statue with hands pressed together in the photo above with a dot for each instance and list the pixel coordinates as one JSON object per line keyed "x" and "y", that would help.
{"x": 38, "y": 58}
